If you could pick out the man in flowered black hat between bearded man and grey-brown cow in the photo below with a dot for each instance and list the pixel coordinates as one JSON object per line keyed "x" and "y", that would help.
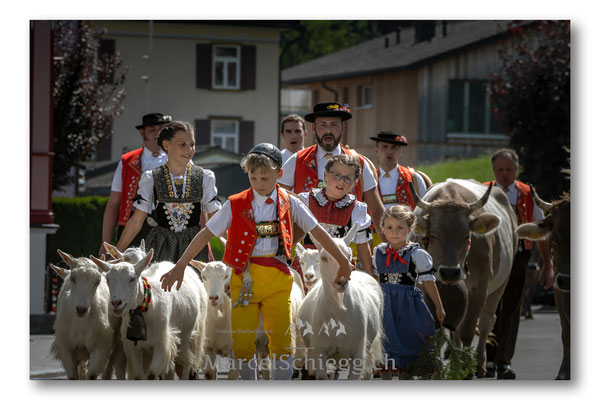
{"x": 393, "y": 178}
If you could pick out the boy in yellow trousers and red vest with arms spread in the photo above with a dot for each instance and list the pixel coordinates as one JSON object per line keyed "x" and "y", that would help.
{"x": 259, "y": 223}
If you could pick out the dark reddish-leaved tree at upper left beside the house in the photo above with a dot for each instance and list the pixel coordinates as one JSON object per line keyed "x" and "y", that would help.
{"x": 87, "y": 93}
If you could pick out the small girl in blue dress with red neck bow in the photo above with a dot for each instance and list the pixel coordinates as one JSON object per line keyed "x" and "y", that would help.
{"x": 400, "y": 265}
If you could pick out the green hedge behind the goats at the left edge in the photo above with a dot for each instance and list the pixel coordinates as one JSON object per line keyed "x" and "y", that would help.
{"x": 80, "y": 232}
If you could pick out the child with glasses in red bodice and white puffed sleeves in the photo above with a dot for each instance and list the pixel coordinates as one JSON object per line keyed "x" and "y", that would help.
{"x": 337, "y": 209}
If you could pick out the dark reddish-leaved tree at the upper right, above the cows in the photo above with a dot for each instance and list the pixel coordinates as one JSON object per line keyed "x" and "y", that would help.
{"x": 531, "y": 100}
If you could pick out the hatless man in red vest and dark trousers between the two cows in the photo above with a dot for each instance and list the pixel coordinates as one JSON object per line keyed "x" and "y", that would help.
{"x": 505, "y": 163}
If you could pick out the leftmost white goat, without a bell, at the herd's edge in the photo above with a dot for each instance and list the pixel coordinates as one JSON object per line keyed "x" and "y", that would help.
{"x": 84, "y": 329}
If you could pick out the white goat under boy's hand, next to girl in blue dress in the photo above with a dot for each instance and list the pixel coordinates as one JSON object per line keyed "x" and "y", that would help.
{"x": 356, "y": 311}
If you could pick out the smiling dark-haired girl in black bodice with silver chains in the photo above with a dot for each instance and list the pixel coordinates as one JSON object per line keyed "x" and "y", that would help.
{"x": 174, "y": 195}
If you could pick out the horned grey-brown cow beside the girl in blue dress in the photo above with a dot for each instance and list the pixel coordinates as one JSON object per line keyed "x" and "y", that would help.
{"x": 472, "y": 239}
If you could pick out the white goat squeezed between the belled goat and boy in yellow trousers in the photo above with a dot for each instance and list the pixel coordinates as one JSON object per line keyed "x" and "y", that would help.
{"x": 218, "y": 340}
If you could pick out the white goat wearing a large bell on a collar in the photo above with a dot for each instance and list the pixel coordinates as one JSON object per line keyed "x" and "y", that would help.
{"x": 174, "y": 320}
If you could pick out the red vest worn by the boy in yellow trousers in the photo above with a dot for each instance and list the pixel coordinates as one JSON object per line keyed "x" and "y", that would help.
{"x": 242, "y": 236}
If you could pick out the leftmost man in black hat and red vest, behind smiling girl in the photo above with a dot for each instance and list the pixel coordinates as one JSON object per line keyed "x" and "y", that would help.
{"x": 125, "y": 181}
